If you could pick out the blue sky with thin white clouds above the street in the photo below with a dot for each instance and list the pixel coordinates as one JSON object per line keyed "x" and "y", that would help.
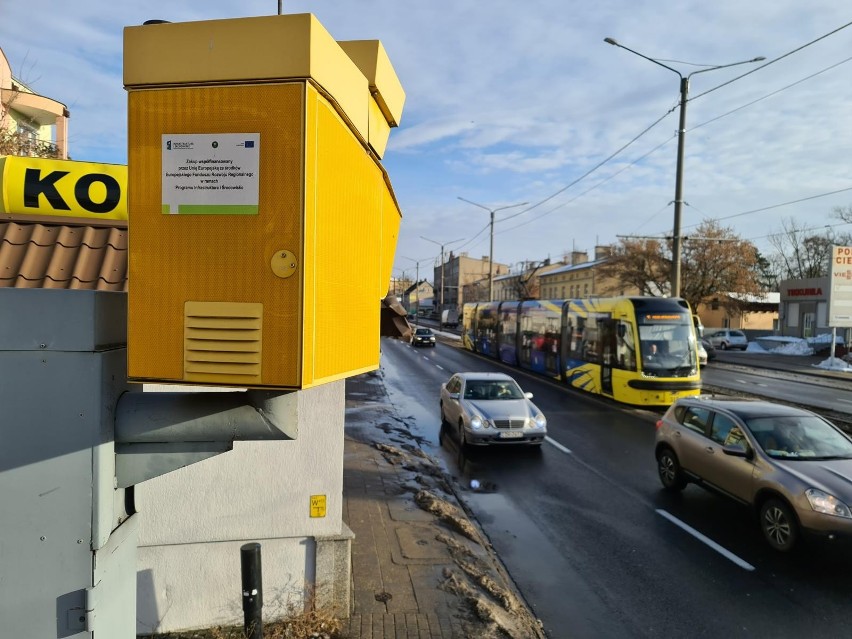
{"x": 522, "y": 107}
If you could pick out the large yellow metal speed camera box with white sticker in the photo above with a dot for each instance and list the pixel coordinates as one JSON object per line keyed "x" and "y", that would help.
{"x": 262, "y": 223}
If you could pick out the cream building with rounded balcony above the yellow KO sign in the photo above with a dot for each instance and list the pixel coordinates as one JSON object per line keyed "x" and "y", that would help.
{"x": 31, "y": 125}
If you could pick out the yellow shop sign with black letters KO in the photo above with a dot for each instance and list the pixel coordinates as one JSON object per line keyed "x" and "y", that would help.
{"x": 64, "y": 188}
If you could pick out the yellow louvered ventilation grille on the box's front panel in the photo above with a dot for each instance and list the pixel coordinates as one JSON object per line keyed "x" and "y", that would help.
{"x": 222, "y": 342}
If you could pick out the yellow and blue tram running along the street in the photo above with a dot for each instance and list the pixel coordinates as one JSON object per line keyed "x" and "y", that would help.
{"x": 636, "y": 350}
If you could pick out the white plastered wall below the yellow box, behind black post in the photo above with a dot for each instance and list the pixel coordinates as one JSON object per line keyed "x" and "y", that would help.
{"x": 194, "y": 520}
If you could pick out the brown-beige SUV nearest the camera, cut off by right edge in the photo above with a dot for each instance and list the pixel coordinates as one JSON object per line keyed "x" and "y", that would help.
{"x": 790, "y": 465}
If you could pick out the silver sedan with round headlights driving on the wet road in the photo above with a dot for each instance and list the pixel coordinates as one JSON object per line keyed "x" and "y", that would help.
{"x": 490, "y": 408}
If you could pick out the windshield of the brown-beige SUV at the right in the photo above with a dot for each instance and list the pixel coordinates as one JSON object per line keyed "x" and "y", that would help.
{"x": 800, "y": 437}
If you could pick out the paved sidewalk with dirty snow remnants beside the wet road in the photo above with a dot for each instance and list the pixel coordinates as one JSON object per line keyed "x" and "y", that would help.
{"x": 420, "y": 567}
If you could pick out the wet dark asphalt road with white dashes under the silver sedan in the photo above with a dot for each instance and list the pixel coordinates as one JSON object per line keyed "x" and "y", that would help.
{"x": 591, "y": 540}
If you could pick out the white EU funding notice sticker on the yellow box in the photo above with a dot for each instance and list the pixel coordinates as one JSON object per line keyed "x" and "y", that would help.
{"x": 211, "y": 174}
